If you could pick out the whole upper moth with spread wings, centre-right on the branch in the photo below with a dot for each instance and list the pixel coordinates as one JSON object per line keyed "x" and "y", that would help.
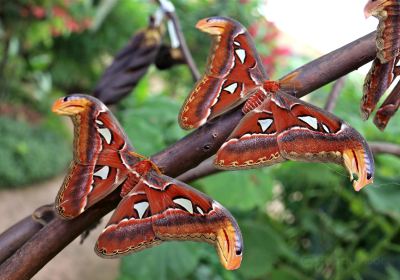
{"x": 276, "y": 126}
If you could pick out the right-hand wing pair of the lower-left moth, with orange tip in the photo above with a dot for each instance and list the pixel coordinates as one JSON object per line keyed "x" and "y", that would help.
{"x": 166, "y": 209}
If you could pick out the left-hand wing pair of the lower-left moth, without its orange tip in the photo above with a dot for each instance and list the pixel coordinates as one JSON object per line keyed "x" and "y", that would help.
{"x": 101, "y": 156}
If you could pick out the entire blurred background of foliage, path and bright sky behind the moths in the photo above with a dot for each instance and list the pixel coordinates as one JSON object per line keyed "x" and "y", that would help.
{"x": 299, "y": 220}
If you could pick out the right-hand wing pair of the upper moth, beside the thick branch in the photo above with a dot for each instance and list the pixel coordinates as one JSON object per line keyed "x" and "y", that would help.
{"x": 284, "y": 127}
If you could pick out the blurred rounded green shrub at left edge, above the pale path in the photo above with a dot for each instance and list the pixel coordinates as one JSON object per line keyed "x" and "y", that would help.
{"x": 30, "y": 153}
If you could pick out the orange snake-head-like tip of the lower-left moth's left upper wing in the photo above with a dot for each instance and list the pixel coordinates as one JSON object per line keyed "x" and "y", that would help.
{"x": 75, "y": 104}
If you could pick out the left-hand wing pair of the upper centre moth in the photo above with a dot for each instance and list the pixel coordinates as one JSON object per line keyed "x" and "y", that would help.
{"x": 234, "y": 70}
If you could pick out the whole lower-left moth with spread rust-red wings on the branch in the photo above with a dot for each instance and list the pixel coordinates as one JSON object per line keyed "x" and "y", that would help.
{"x": 154, "y": 207}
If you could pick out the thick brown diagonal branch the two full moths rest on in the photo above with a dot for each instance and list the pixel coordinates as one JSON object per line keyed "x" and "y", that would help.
{"x": 182, "y": 156}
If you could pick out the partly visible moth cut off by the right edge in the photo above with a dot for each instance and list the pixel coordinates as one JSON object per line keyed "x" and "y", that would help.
{"x": 384, "y": 68}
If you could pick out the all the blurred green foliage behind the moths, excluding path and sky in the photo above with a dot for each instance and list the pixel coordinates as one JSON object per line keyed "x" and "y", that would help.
{"x": 299, "y": 221}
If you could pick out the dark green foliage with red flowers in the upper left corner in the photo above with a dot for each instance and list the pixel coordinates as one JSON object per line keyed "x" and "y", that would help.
{"x": 49, "y": 47}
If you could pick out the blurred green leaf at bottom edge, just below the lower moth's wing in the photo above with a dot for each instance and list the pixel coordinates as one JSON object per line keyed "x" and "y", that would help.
{"x": 170, "y": 260}
